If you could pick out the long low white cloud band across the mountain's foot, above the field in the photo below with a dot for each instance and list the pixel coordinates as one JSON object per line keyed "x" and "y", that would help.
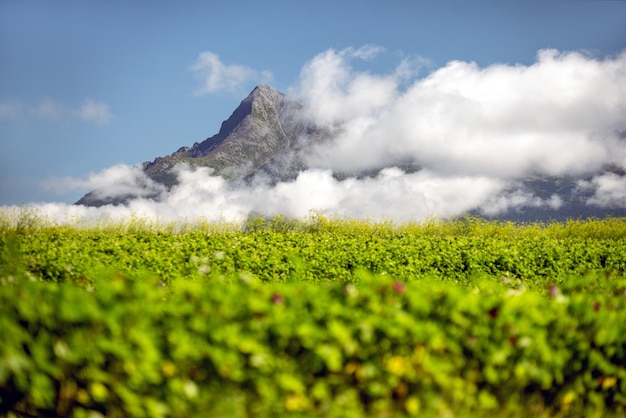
{"x": 391, "y": 195}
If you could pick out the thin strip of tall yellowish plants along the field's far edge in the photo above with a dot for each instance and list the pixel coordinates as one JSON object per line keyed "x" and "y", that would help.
{"x": 20, "y": 218}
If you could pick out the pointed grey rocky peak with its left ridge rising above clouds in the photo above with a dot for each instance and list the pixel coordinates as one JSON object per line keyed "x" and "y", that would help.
{"x": 265, "y": 135}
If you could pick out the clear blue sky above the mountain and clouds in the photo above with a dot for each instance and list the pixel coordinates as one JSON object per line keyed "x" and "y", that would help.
{"x": 85, "y": 85}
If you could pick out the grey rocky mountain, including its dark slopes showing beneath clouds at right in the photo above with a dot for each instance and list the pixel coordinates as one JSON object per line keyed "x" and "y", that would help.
{"x": 269, "y": 136}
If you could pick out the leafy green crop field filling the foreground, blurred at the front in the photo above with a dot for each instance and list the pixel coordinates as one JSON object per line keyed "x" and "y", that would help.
{"x": 315, "y": 317}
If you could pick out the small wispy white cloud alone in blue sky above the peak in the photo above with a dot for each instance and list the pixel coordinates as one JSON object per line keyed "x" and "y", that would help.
{"x": 215, "y": 76}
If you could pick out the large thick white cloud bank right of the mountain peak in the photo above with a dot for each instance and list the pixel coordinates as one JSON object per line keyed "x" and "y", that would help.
{"x": 557, "y": 116}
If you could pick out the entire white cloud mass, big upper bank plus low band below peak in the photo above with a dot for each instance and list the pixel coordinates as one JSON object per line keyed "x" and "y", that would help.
{"x": 475, "y": 132}
